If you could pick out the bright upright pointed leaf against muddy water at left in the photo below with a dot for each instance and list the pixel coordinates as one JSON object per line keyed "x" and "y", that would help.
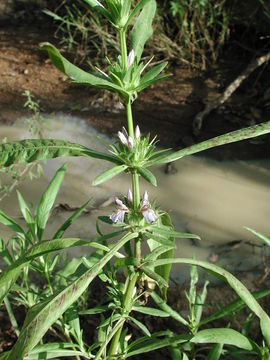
{"x": 47, "y": 200}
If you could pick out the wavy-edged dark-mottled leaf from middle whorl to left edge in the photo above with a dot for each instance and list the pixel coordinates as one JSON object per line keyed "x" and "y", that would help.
{"x": 27, "y": 151}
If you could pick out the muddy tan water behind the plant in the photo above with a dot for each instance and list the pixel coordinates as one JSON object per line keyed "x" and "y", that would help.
{"x": 212, "y": 199}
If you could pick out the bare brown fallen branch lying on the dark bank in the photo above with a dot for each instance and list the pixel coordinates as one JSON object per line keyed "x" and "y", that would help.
{"x": 198, "y": 120}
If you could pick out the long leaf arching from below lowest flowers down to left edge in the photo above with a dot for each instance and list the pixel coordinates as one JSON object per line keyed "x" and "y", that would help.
{"x": 10, "y": 275}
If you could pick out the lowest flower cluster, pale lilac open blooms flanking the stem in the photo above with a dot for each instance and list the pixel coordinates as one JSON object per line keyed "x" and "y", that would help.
{"x": 148, "y": 213}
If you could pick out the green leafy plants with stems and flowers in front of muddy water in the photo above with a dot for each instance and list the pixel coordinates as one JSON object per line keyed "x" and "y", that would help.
{"x": 57, "y": 301}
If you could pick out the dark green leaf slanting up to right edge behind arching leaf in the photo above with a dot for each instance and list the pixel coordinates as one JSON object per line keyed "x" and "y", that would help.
{"x": 233, "y": 307}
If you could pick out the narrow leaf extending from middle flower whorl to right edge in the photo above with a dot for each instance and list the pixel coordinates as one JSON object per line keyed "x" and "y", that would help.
{"x": 231, "y": 137}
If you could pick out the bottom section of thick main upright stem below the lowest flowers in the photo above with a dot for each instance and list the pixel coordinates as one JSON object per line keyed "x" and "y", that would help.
{"x": 127, "y": 304}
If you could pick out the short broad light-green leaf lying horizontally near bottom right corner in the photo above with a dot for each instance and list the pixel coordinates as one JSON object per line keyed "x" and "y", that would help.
{"x": 222, "y": 336}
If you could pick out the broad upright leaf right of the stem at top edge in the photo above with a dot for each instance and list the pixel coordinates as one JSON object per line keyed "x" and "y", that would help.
{"x": 142, "y": 29}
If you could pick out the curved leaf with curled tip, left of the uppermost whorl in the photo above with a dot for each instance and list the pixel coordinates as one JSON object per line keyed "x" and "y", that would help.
{"x": 78, "y": 75}
